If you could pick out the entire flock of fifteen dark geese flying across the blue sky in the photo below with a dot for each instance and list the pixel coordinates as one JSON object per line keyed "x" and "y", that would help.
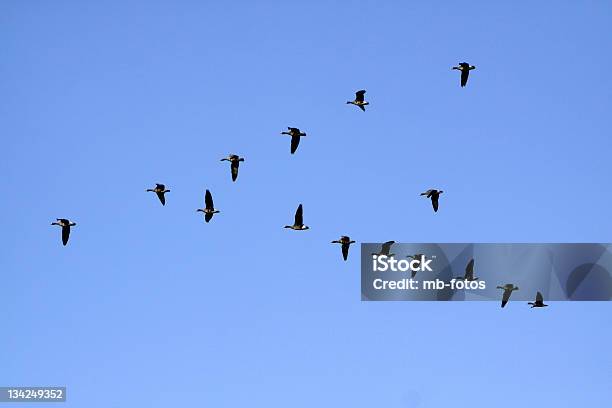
{"x": 345, "y": 241}
